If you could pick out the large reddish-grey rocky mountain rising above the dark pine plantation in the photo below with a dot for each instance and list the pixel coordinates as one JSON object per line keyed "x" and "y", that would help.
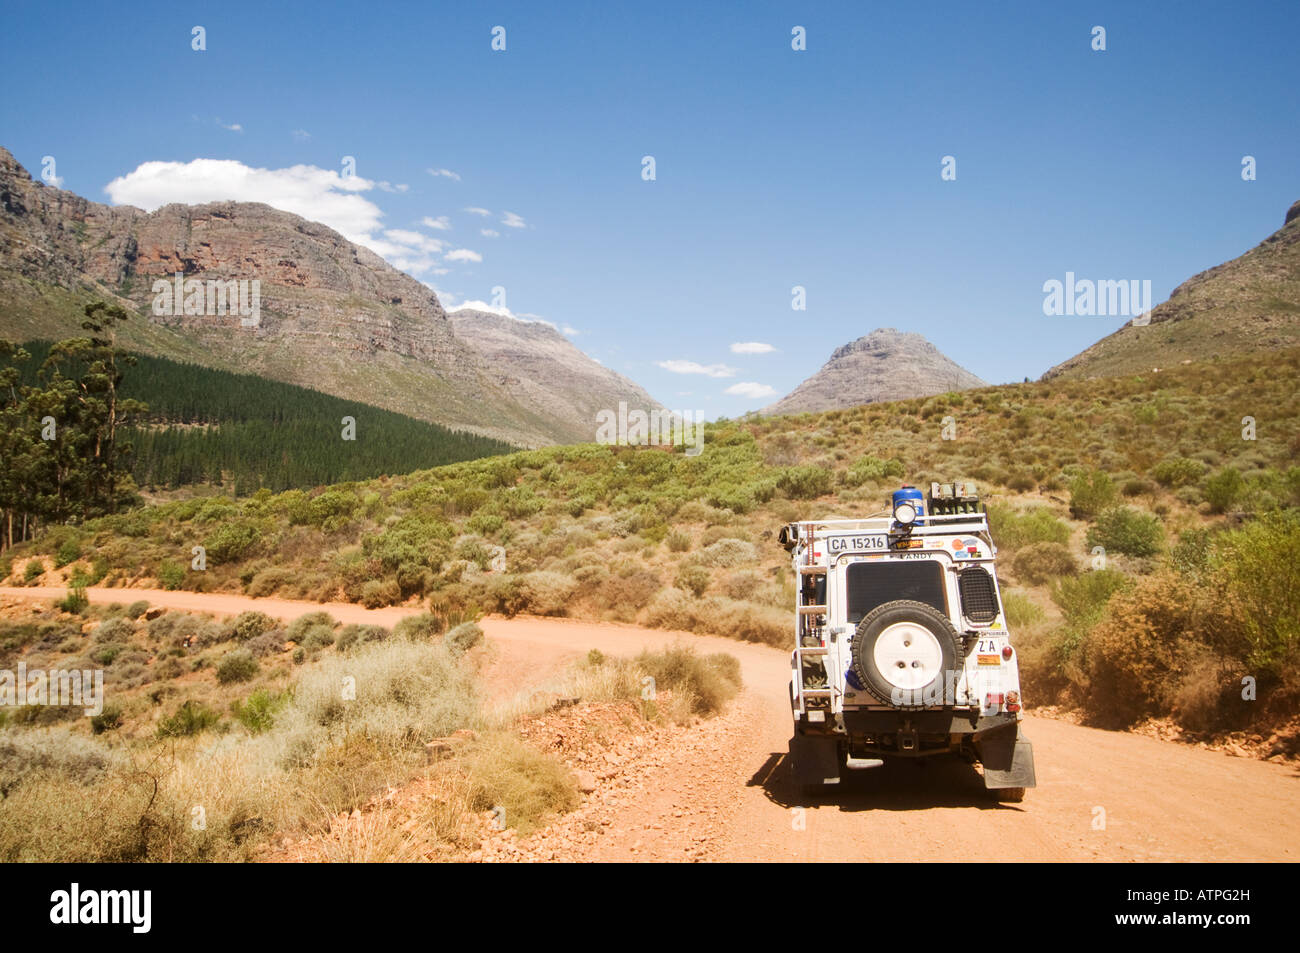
{"x": 333, "y": 315}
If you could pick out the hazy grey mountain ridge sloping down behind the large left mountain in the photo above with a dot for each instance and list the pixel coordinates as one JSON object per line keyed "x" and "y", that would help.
{"x": 540, "y": 367}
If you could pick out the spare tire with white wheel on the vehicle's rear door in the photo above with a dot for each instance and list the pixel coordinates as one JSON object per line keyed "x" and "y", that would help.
{"x": 903, "y": 652}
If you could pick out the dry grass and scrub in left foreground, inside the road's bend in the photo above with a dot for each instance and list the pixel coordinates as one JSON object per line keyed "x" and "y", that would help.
{"x": 187, "y": 765}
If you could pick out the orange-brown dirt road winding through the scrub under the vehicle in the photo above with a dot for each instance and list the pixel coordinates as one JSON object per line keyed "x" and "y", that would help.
{"x": 1102, "y": 796}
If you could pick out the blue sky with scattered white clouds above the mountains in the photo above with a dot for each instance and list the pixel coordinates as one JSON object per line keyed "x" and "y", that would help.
{"x": 774, "y": 168}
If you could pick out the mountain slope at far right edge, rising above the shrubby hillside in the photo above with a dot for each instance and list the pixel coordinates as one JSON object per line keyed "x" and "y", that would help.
{"x": 1245, "y": 306}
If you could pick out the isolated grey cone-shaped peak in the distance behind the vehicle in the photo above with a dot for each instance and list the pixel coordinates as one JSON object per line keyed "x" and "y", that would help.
{"x": 886, "y": 365}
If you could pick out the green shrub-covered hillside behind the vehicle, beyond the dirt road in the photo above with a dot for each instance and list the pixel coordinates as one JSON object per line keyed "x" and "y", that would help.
{"x": 1126, "y": 469}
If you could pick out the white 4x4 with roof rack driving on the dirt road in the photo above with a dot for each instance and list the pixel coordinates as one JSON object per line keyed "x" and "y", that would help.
{"x": 902, "y": 647}
